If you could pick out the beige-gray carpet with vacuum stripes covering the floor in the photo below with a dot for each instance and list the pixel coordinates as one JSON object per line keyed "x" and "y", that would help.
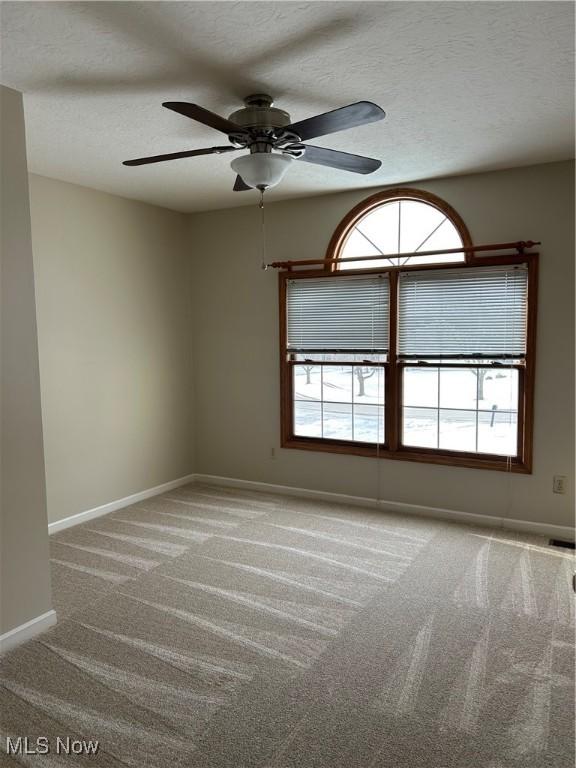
{"x": 216, "y": 628}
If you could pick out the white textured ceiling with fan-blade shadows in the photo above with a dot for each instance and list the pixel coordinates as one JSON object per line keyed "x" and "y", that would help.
{"x": 466, "y": 87}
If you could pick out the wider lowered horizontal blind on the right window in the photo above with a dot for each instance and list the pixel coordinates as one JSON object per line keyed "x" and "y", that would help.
{"x": 472, "y": 313}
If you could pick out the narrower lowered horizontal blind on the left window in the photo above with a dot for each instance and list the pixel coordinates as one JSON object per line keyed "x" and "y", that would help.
{"x": 338, "y": 314}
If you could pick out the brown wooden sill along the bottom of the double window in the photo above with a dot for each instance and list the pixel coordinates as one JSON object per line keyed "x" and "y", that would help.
{"x": 422, "y": 455}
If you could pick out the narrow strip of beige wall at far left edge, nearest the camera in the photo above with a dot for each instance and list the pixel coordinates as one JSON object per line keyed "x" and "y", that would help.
{"x": 24, "y": 573}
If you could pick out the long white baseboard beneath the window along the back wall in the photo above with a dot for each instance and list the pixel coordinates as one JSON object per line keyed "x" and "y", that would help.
{"x": 527, "y": 526}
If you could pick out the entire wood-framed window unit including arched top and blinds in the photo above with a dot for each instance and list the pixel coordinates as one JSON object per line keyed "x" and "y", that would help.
{"x": 410, "y": 359}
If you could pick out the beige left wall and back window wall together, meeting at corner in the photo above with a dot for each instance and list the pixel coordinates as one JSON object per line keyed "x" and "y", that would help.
{"x": 116, "y": 333}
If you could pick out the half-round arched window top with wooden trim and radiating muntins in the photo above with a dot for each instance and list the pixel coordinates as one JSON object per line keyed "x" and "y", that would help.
{"x": 397, "y": 221}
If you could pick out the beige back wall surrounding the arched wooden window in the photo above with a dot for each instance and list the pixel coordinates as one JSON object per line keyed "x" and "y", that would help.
{"x": 235, "y": 318}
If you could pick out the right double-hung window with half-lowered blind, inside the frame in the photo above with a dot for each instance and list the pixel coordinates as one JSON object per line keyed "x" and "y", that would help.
{"x": 471, "y": 322}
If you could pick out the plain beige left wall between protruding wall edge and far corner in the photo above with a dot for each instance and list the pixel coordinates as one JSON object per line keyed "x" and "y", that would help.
{"x": 115, "y": 350}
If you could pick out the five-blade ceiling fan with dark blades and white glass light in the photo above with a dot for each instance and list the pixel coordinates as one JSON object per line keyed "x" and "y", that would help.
{"x": 273, "y": 141}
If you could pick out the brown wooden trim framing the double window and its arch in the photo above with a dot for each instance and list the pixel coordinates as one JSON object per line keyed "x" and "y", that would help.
{"x": 392, "y": 449}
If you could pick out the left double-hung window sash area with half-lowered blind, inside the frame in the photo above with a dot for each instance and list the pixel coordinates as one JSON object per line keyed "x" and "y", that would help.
{"x": 338, "y": 342}
